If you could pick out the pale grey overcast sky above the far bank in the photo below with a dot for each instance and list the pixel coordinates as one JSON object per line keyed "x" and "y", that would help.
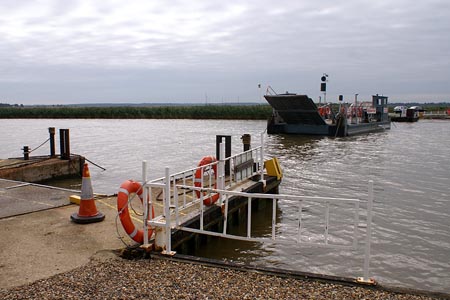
{"x": 175, "y": 51}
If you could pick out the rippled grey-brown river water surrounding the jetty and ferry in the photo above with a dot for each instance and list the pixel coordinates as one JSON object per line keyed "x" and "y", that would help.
{"x": 409, "y": 165}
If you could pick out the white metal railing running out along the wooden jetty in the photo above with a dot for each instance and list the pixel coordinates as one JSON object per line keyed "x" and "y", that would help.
{"x": 253, "y": 159}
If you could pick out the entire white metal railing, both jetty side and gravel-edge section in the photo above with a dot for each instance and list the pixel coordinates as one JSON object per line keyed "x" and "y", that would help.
{"x": 181, "y": 184}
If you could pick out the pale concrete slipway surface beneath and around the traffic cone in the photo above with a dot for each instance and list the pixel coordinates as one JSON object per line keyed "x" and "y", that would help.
{"x": 38, "y": 238}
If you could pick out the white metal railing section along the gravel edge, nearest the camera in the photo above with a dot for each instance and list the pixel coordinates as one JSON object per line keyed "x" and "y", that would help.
{"x": 171, "y": 219}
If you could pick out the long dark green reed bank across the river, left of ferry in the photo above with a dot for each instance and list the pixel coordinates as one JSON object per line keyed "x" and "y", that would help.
{"x": 252, "y": 112}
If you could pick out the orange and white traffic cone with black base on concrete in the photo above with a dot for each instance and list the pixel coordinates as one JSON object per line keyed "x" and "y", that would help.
{"x": 88, "y": 211}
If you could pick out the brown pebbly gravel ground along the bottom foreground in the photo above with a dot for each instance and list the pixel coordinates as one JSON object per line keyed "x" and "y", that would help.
{"x": 111, "y": 277}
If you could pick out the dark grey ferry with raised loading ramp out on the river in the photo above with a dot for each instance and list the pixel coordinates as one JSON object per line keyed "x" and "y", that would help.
{"x": 298, "y": 114}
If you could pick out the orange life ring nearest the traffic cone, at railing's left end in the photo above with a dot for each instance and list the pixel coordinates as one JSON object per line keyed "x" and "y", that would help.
{"x": 126, "y": 188}
